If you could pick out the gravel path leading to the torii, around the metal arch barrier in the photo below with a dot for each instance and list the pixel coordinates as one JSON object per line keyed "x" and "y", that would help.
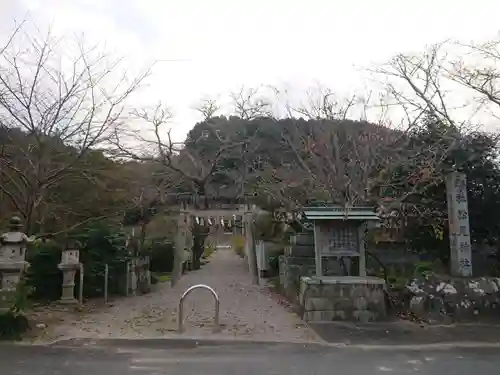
{"x": 247, "y": 311}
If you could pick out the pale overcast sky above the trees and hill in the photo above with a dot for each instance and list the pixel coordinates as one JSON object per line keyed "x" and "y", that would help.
{"x": 210, "y": 47}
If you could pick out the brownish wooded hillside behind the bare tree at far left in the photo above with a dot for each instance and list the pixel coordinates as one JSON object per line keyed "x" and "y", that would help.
{"x": 51, "y": 185}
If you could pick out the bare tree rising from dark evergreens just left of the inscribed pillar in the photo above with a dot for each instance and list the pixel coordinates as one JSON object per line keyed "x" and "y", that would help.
{"x": 420, "y": 92}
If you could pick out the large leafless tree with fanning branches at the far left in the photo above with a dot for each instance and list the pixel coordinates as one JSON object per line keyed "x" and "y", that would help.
{"x": 55, "y": 109}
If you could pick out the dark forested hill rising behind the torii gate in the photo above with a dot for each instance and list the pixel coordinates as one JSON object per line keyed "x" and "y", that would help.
{"x": 315, "y": 154}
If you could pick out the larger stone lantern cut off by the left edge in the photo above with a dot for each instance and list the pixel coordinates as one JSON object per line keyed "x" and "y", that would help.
{"x": 12, "y": 262}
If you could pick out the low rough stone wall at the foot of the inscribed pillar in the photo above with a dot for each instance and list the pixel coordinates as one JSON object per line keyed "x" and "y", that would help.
{"x": 442, "y": 299}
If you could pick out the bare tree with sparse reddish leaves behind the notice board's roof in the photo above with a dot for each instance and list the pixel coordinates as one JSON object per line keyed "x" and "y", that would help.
{"x": 325, "y": 155}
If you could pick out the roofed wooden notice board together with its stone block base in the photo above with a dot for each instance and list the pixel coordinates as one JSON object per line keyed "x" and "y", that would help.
{"x": 339, "y": 233}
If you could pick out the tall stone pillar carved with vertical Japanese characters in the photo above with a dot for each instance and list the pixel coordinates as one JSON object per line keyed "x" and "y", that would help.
{"x": 458, "y": 219}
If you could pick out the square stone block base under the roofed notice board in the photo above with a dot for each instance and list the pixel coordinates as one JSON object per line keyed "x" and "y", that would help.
{"x": 344, "y": 298}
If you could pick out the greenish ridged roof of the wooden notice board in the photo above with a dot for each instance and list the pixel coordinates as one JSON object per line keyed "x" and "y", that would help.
{"x": 340, "y": 213}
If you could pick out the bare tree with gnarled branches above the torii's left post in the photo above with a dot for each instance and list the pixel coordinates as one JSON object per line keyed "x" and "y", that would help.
{"x": 210, "y": 157}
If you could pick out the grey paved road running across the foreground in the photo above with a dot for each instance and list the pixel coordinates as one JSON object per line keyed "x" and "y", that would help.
{"x": 262, "y": 359}
